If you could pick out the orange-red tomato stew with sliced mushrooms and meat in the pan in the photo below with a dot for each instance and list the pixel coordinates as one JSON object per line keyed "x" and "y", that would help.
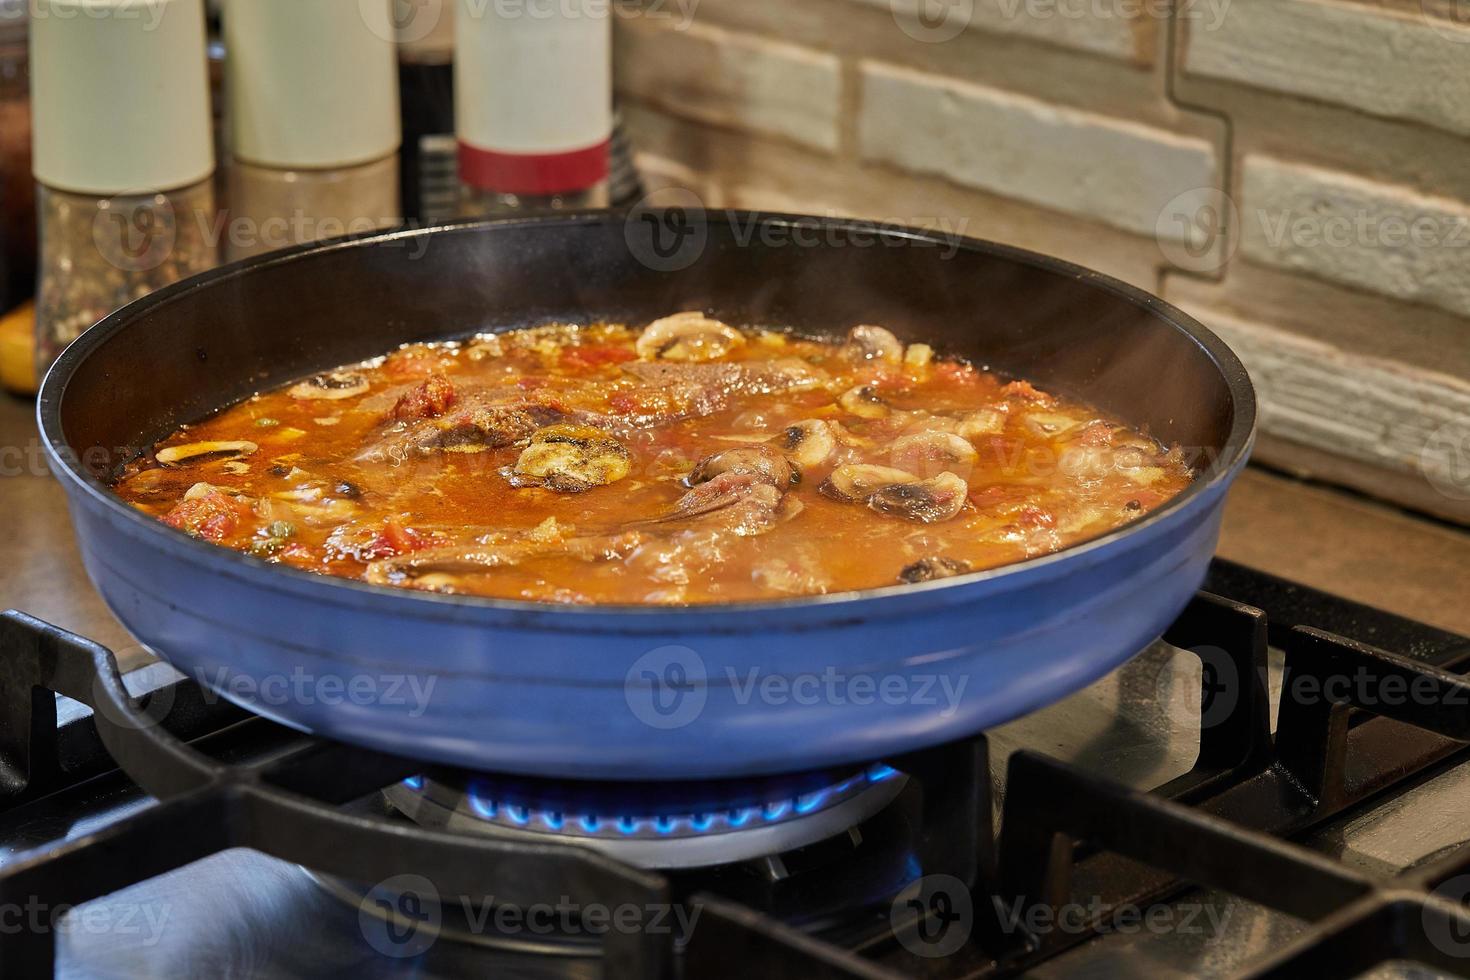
{"x": 689, "y": 462}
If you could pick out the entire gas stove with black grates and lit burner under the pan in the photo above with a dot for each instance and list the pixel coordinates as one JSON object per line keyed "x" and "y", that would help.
{"x": 1278, "y": 788}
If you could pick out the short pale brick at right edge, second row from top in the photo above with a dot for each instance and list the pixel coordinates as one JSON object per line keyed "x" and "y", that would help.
{"x": 1365, "y": 234}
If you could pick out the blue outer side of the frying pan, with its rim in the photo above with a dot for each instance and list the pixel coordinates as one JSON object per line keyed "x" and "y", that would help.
{"x": 634, "y": 693}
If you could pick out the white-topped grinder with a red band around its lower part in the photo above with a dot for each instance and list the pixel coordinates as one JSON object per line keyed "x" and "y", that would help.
{"x": 534, "y": 105}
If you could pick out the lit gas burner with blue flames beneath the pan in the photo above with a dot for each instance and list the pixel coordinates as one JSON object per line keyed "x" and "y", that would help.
{"x": 656, "y": 825}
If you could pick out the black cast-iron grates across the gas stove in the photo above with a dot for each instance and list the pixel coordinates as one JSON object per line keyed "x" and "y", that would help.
{"x": 230, "y": 781}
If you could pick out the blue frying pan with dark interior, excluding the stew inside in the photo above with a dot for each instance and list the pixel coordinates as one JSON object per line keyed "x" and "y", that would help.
{"x": 625, "y": 691}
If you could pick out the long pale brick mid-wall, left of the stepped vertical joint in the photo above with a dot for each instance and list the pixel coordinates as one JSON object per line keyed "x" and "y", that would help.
{"x": 1108, "y": 170}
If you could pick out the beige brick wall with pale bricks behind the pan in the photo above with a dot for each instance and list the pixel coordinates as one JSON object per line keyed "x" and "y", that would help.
{"x": 1294, "y": 173}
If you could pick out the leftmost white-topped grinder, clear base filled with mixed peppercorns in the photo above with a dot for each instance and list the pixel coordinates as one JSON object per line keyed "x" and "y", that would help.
{"x": 123, "y": 158}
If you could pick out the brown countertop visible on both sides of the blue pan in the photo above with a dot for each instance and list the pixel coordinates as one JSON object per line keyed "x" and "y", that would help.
{"x": 1315, "y": 536}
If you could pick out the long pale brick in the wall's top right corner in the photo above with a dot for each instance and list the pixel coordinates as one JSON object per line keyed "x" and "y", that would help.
{"x": 1384, "y": 62}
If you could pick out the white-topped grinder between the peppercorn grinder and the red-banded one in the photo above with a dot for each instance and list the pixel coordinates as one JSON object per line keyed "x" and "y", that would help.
{"x": 312, "y": 90}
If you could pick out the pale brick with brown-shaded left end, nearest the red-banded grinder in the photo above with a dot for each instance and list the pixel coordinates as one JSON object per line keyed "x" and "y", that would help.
{"x": 733, "y": 80}
